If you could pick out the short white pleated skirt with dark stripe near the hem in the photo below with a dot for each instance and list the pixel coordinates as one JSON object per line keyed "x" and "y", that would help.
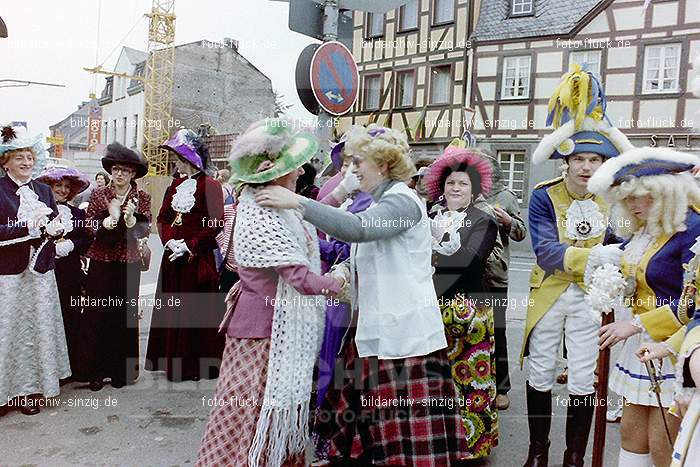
{"x": 630, "y": 379}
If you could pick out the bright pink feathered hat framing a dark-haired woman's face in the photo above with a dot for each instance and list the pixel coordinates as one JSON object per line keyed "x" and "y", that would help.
{"x": 453, "y": 157}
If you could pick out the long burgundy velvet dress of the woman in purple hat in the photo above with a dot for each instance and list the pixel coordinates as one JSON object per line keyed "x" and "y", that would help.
{"x": 183, "y": 338}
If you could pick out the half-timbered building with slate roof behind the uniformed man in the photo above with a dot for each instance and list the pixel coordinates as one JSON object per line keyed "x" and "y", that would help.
{"x": 642, "y": 55}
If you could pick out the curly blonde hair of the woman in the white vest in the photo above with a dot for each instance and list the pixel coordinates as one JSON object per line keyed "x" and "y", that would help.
{"x": 390, "y": 148}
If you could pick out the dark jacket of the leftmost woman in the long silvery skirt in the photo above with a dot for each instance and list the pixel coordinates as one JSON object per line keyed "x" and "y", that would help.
{"x": 15, "y": 257}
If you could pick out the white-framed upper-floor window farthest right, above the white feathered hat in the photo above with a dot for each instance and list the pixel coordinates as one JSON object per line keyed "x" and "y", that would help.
{"x": 662, "y": 68}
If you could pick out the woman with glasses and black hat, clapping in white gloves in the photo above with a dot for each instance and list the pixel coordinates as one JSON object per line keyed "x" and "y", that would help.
{"x": 120, "y": 216}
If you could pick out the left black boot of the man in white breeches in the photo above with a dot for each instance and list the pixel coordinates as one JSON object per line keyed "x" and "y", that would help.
{"x": 539, "y": 421}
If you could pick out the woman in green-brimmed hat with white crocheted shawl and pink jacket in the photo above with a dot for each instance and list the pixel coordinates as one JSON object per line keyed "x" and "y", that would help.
{"x": 260, "y": 408}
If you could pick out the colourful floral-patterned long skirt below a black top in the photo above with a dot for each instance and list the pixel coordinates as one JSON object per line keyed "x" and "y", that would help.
{"x": 471, "y": 350}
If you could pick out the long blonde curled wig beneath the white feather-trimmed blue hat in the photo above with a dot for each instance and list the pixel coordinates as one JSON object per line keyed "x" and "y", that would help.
{"x": 671, "y": 194}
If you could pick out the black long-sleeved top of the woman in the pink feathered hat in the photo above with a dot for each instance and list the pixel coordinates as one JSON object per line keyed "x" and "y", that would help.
{"x": 463, "y": 271}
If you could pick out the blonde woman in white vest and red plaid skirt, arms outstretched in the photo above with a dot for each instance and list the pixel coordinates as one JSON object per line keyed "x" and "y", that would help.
{"x": 397, "y": 376}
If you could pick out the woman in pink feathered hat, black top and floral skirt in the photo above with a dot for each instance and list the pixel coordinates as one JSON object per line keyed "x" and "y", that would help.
{"x": 463, "y": 237}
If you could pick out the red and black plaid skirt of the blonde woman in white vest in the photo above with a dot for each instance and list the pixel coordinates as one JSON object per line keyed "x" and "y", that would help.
{"x": 393, "y": 412}
